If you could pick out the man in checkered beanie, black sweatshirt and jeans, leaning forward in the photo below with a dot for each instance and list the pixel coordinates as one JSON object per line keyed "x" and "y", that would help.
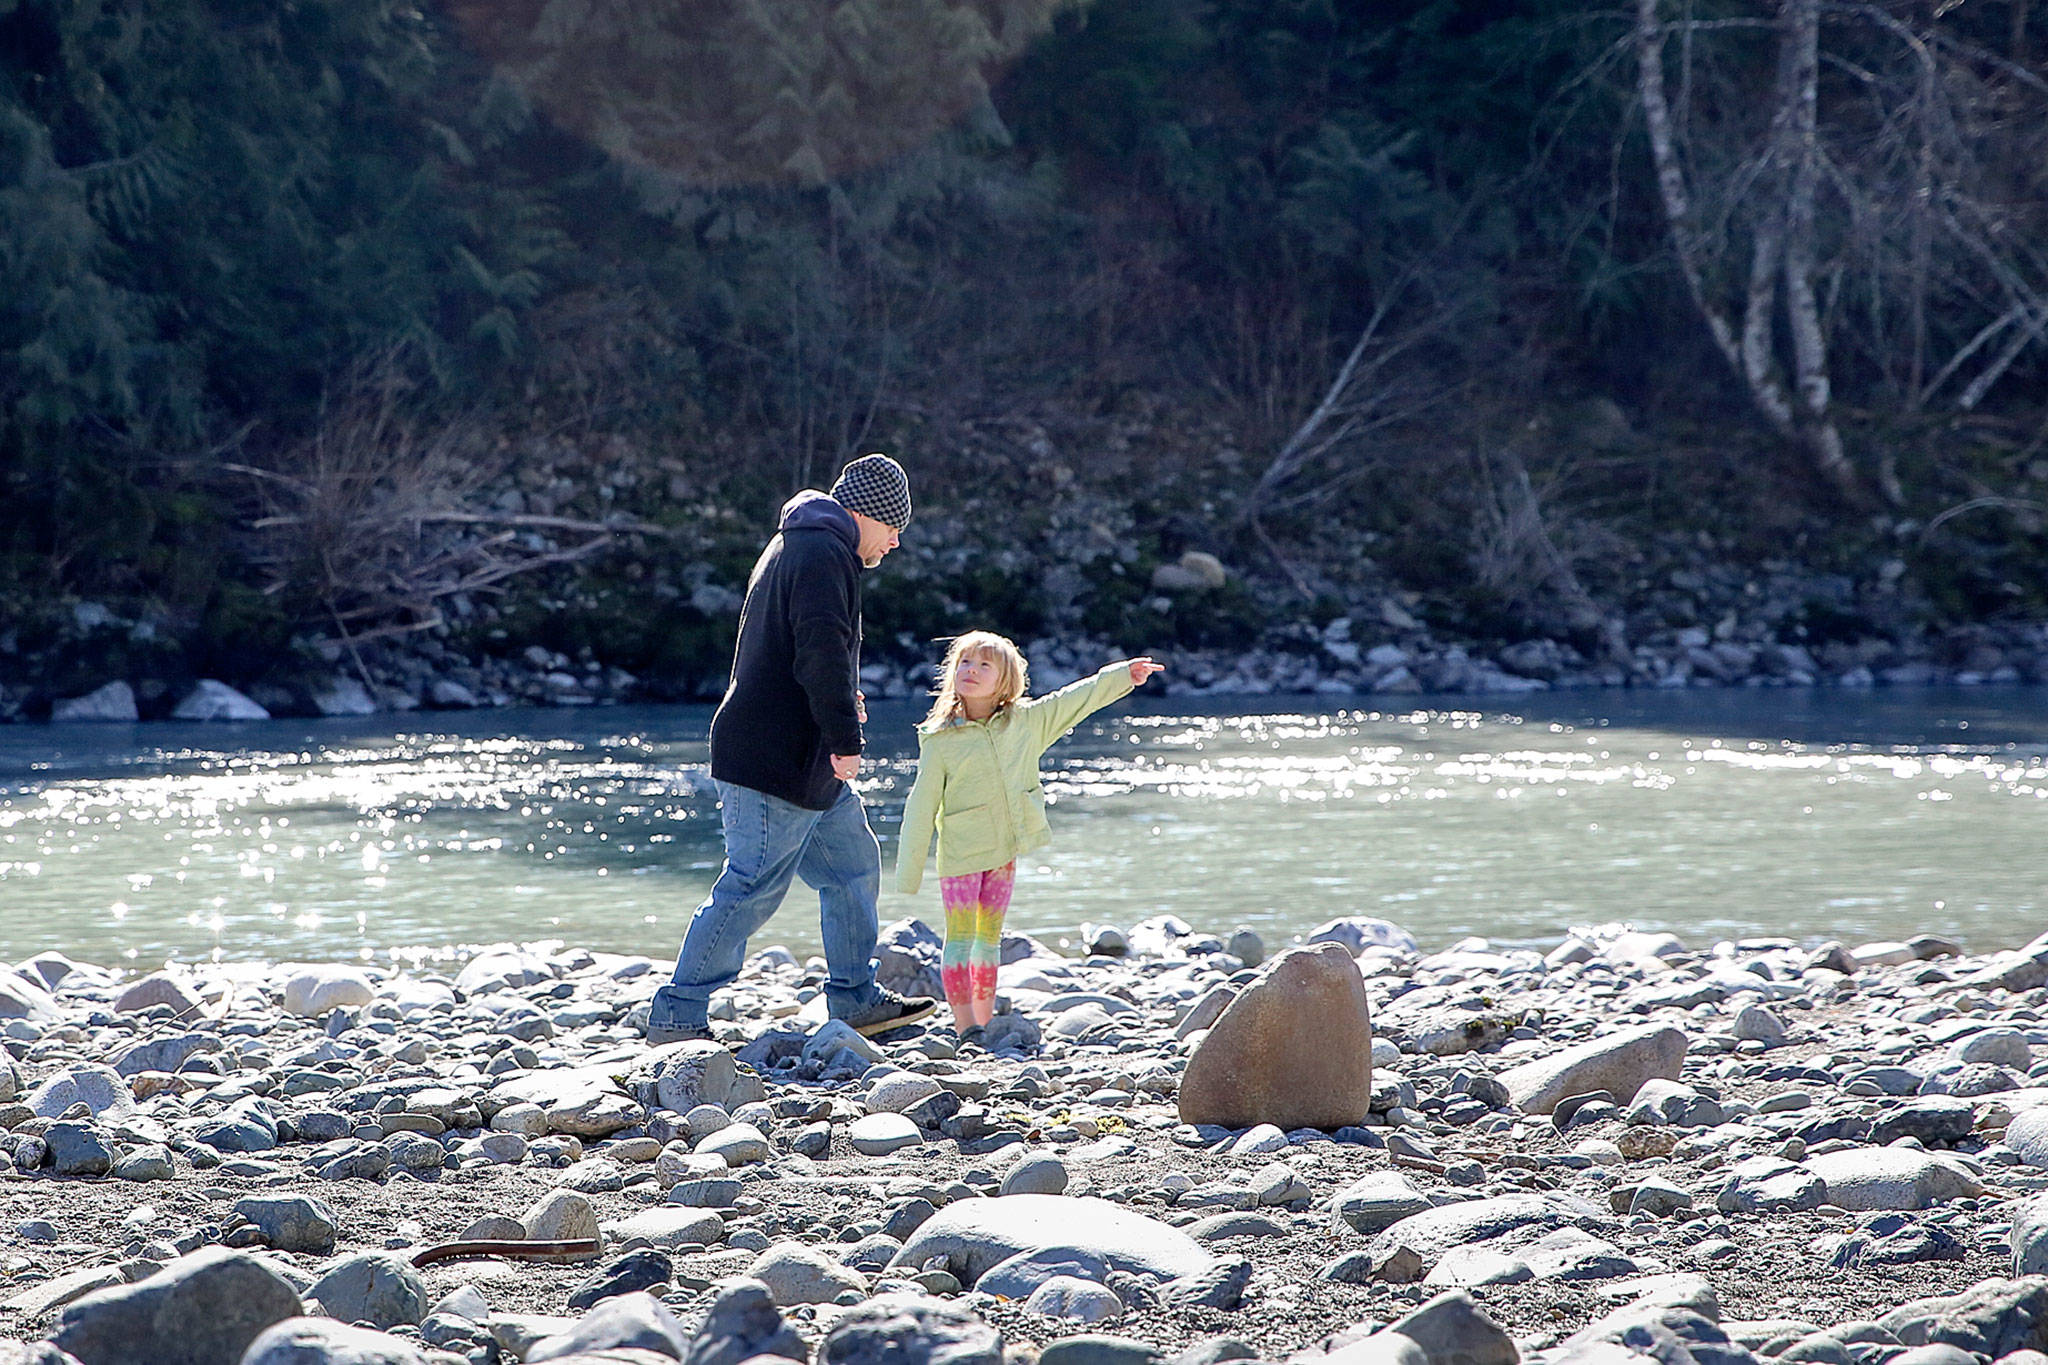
{"x": 785, "y": 748}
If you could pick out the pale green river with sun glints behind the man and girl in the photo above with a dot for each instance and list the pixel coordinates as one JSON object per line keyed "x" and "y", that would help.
{"x": 1803, "y": 813}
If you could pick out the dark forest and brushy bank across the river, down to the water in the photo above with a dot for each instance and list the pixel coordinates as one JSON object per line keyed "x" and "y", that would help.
{"x": 343, "y": 331}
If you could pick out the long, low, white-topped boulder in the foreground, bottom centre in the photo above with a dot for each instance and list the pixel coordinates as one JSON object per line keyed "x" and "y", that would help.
{"x": 976, "y": 1235}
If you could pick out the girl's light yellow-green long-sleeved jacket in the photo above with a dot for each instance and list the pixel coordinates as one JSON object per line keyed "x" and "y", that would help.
{"x": 978, "y": 781}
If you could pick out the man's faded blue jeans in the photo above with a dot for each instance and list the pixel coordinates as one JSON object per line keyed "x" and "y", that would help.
{"x": 767, "y": 844}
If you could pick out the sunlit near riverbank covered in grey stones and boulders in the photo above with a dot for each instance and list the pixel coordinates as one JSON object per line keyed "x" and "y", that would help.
{"x": 1625, "y": 1147}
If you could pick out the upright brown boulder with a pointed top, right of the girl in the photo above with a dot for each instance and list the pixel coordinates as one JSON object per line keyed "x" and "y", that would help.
{"x": 1295, "y": 1049}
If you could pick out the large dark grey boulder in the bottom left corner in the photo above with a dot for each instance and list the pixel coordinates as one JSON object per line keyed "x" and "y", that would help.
{"x": 198, "y": 1311}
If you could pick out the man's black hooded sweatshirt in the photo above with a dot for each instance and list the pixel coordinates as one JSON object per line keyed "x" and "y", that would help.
{"x": 790, "y": 705}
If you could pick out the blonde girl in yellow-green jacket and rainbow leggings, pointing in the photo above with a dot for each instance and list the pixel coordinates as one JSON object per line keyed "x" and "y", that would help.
{"x": 978, "y": 787}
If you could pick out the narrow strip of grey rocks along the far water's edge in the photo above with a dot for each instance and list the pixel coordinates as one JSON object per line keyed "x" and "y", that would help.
{"x": 1336, "y": 660}
